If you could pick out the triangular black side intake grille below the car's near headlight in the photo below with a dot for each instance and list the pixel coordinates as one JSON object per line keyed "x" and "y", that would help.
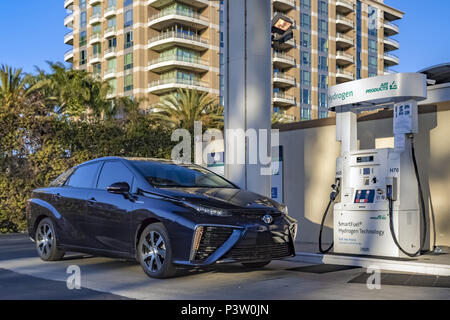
{"x": 212, "y": 239}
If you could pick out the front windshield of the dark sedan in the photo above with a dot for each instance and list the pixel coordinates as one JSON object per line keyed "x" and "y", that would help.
{"x": 168, "y": 175}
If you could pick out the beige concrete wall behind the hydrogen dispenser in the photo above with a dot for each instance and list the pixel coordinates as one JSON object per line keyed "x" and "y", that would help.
{"x": 310, "y": 150}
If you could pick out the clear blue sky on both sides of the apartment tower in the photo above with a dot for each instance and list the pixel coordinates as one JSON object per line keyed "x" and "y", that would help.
{"x": 33, "y": 32}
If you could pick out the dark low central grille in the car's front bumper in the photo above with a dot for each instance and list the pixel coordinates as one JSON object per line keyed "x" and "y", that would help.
{"x": 262, "y": 252}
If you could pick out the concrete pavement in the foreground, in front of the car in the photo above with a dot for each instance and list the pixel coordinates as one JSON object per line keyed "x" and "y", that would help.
{"x": 115, "y": 279}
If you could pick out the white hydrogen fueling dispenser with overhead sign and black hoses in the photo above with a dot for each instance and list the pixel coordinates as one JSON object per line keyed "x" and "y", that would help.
{"x": 381, "y": 211}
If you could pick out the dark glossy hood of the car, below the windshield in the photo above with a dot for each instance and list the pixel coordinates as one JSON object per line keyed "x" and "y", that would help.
{"x": 227, "y": 198}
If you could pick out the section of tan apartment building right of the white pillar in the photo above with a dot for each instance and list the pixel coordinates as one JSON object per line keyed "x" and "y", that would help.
{"x": 334, "y": 41}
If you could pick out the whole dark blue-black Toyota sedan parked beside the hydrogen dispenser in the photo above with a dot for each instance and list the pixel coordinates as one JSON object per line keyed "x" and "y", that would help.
{"x": 162, "y": 214}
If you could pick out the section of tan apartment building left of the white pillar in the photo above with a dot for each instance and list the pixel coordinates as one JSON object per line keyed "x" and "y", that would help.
{"x": 146, "y": 48}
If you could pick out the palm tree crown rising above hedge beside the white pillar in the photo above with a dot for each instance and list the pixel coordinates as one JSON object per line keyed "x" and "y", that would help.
{"x": 182, "y": 108}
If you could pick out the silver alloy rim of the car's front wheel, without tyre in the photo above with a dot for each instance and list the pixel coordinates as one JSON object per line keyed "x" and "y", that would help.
{"x": 153, "y": 251}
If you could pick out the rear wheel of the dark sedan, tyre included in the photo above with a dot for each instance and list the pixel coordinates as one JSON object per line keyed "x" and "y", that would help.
{"x": 46, "y": 243}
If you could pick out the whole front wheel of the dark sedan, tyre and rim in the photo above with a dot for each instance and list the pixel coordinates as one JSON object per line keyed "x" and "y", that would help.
{"x": 154, "y": 252}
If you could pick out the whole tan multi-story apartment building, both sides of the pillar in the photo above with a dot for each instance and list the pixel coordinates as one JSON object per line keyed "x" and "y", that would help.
{"x": 149, "y": 48}
